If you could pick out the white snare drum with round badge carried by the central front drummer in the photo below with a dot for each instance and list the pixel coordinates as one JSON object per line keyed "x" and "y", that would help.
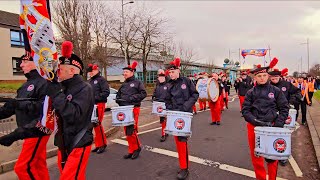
{"x": 178, "y": 123}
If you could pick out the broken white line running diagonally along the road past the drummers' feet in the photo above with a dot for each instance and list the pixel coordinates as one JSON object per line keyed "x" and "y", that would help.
{"x": 206, "y": 162}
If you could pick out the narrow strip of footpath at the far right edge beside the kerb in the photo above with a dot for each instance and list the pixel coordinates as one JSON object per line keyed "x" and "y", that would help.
{"x": 314, "y": 126}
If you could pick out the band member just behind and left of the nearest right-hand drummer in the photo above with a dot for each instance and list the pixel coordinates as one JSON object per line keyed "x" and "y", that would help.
{"x": 245, "y": 83}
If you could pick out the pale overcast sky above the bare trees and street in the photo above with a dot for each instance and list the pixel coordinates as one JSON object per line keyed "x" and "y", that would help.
{"x": 212, "y": 28}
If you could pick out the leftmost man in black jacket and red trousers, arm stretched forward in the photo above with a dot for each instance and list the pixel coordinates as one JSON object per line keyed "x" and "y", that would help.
{"x": 28, "y": 113}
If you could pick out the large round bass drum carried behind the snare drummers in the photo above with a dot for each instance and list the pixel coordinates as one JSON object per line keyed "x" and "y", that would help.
{"x": 208, "y": 89}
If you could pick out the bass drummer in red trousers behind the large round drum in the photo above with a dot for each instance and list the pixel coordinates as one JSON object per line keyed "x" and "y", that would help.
{"x": 215, "y": 107}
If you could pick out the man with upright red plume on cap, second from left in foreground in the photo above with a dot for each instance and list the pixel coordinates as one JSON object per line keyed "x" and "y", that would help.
{"x": 73, "y": 102}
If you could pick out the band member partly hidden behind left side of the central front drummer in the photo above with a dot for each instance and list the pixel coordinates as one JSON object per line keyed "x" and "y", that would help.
{"x": 159, "y": 94}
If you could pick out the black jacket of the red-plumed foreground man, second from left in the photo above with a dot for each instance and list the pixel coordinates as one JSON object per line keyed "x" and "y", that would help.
{"x": 74, "y": 107}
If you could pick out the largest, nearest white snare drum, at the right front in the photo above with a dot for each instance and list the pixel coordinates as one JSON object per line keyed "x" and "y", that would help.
{"x": 273, "y": 143}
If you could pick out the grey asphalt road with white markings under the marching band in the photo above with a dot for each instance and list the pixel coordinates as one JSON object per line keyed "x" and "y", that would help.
{"x": 216, "y": 152}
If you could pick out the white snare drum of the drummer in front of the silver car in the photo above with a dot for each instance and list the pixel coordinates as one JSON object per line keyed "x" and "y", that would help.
{"x": 122, "y": 115}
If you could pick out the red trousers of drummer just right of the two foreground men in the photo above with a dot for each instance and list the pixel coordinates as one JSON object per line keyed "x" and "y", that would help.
{"x": 100, "y": 138}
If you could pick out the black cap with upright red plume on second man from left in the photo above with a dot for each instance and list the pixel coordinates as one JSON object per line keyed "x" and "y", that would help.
{"x": 68, "y": 58}
